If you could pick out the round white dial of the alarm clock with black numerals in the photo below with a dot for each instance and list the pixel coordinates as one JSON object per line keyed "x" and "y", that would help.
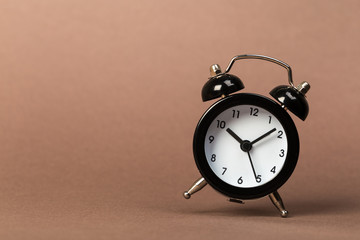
{"x": 246, "y": 146}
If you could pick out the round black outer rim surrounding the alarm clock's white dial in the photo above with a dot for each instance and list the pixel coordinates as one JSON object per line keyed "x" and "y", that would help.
{"x": 246, "y": 99}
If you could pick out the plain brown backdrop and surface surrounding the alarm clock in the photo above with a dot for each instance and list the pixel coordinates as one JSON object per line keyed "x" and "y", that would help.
{"x": 99, "y": 101}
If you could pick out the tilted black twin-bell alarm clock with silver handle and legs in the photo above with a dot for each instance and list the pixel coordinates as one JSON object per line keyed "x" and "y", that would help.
{"x": 246, "y": 146}
